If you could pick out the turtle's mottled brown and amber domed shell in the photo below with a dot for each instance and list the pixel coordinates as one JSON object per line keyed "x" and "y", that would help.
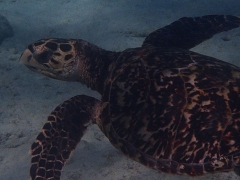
{"x": 174, "y": 110}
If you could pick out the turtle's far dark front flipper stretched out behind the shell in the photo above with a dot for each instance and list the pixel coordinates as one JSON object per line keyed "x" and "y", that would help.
{"x": 188, "y": 32}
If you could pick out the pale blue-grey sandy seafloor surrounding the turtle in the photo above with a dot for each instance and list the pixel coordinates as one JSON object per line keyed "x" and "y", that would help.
{"x": 26, "y": 98}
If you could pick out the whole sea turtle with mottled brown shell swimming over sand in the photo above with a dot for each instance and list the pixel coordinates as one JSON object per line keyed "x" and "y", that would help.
{"x": 162, "y": 105}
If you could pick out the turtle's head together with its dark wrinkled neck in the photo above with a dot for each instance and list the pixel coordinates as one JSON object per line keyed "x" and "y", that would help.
{"x": 69, "y": 60}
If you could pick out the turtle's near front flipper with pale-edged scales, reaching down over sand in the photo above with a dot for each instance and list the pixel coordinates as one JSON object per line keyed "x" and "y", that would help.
{"x": 60, "y": 135}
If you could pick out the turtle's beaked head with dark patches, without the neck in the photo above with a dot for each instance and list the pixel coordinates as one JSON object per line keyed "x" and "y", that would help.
{"x": 54, "y": 58}
